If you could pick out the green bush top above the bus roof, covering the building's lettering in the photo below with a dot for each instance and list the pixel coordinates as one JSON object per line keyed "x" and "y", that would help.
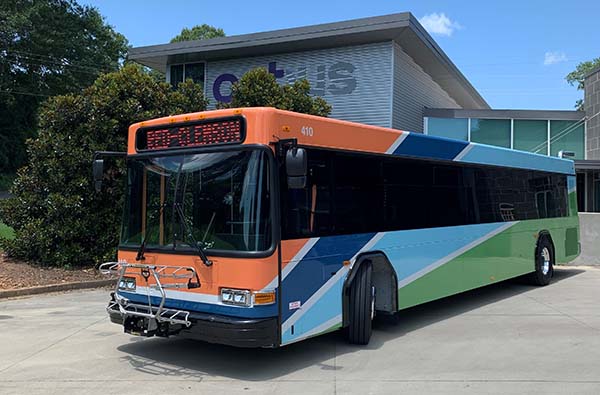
{"x": 259, "y": 88}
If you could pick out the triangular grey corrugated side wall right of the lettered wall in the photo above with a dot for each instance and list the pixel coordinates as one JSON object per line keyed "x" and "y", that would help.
{"x": 414, "y": 89}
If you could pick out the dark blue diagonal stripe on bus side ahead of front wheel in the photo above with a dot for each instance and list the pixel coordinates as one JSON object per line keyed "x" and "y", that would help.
{"x": 323, "y": 259}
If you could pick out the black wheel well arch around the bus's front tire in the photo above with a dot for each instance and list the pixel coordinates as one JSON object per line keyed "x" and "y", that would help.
{"x": 384, "y": 280}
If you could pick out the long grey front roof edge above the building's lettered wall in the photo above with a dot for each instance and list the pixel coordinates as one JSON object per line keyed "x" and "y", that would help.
{"x": 296, "y": 33}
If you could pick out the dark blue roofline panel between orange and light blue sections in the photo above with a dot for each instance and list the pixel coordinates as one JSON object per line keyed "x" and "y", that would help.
{"x": 421, "y": 145}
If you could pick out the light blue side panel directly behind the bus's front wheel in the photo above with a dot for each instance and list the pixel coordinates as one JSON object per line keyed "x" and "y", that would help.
{"x": 412, "y": 250}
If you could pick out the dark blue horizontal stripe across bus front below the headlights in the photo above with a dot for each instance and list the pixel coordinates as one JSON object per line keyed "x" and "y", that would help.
{"x": 208, "y": 308}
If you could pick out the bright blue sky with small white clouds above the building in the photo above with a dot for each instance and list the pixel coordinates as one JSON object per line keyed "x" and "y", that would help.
{"x": 515, "y": 53}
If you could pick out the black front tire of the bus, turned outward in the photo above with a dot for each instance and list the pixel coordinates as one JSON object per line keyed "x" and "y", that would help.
{"x": 361, "y": 307}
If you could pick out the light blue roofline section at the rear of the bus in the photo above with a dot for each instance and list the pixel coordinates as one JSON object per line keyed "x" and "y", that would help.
{"x": 498, "y": 156}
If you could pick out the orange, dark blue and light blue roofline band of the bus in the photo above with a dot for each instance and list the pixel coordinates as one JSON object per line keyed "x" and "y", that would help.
{"x": 267, "y": 125}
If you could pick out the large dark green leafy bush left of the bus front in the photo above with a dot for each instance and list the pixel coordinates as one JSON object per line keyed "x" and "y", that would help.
{"x": 57, "y": 217}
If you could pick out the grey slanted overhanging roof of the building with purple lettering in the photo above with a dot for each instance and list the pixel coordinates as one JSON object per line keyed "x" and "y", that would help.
{"x": 402, "y": 28}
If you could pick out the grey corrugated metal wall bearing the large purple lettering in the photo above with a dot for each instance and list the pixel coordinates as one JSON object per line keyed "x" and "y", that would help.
{"x": 368, "y": 102}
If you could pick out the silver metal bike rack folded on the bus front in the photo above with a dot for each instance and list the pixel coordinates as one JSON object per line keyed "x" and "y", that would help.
{"x": 153, "y": 314}
